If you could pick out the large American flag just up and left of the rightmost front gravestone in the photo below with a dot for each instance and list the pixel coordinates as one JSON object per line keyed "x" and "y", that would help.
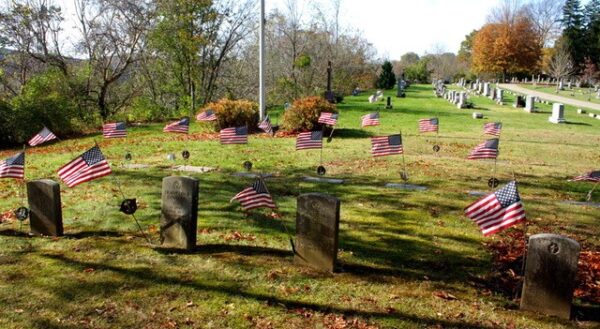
{"x": 497, "y": 211}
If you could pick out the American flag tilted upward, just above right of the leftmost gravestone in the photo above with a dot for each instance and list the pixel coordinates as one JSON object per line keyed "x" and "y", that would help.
{"x": 86, "y": 167}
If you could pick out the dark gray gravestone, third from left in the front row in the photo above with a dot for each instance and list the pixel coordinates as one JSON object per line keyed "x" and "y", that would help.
{"x": 317, "y": 229}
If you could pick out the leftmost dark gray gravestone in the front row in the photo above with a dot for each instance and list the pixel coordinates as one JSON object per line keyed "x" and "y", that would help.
{"x": 45, "y": 207}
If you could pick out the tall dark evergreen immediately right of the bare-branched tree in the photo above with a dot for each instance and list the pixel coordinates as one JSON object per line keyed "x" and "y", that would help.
{"x": 573, "y": 34}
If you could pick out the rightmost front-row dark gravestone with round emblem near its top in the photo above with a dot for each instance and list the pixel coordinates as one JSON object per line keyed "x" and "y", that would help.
{"x": 550, "y": 272}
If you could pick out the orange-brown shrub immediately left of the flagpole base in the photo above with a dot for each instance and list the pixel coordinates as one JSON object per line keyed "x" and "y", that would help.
{"x": 234, "y": 113}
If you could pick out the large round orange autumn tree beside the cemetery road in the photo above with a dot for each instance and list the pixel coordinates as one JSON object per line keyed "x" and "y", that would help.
{"x": 507, "y": 48}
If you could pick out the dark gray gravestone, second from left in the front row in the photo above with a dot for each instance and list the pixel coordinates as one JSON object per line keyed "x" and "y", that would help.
{"x": 179, "y": 212}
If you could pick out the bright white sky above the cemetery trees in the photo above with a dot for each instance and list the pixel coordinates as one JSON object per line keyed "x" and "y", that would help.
{"x": 394, "y": 27}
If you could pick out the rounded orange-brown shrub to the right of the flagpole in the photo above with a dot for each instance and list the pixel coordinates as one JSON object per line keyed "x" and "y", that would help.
{"x": 304, "y": 113}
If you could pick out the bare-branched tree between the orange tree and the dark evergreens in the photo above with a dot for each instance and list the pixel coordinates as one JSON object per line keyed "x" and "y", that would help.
{"x": 545, "y": 16}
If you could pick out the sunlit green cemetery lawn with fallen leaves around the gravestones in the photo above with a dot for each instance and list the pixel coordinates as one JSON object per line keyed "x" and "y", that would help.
{"x": 407, "y": 259}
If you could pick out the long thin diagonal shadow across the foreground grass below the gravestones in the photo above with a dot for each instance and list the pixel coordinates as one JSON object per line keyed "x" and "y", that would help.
{"x": 151, "y": 277}
